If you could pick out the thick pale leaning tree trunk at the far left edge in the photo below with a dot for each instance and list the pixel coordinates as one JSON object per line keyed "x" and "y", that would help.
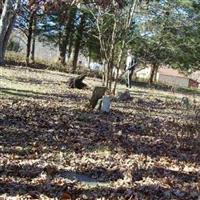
{"x": 7, "y": 20}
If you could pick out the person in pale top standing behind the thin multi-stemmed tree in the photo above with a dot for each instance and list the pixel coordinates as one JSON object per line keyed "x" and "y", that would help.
{"x": 131, "y": 63}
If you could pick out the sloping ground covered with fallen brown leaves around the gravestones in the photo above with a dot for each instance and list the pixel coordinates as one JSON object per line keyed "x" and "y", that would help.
{"x": 51, "y": 148}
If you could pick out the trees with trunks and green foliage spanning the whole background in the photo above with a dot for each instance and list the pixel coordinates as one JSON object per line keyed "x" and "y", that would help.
{"x": 158, "y": 32}
